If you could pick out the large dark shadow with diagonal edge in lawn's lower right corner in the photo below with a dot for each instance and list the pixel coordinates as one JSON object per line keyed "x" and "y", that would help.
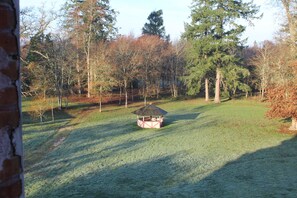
{"x": 269, "y": 172}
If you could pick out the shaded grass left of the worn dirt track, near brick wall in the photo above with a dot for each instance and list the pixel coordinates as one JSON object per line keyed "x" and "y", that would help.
{"x": 39, "y": 137}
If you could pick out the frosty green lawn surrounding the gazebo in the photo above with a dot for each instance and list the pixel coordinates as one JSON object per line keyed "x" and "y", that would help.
{"x": 204, "y": 150}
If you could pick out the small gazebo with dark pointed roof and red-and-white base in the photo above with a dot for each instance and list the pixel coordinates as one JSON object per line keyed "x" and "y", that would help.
{"x": 150, "y": 116}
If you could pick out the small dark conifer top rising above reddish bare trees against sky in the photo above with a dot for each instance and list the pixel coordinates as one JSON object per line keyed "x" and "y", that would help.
{"x": 155, "y": 25}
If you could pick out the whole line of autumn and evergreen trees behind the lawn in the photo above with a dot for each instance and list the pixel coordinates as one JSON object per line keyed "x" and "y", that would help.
{"x": 87, "y": 55}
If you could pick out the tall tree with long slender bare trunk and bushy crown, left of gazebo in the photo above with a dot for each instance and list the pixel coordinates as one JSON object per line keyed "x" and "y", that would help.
{"x": 94, "y": 20}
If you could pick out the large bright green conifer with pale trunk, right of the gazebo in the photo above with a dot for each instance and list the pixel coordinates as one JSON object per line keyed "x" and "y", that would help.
{"x": 214, "y": 37}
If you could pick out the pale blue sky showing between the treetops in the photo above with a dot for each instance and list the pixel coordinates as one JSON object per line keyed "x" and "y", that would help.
{"x": 132, "y": 15}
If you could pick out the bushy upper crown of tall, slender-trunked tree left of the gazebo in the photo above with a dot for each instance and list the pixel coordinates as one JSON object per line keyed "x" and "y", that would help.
{"x": 90, "y": 17}
